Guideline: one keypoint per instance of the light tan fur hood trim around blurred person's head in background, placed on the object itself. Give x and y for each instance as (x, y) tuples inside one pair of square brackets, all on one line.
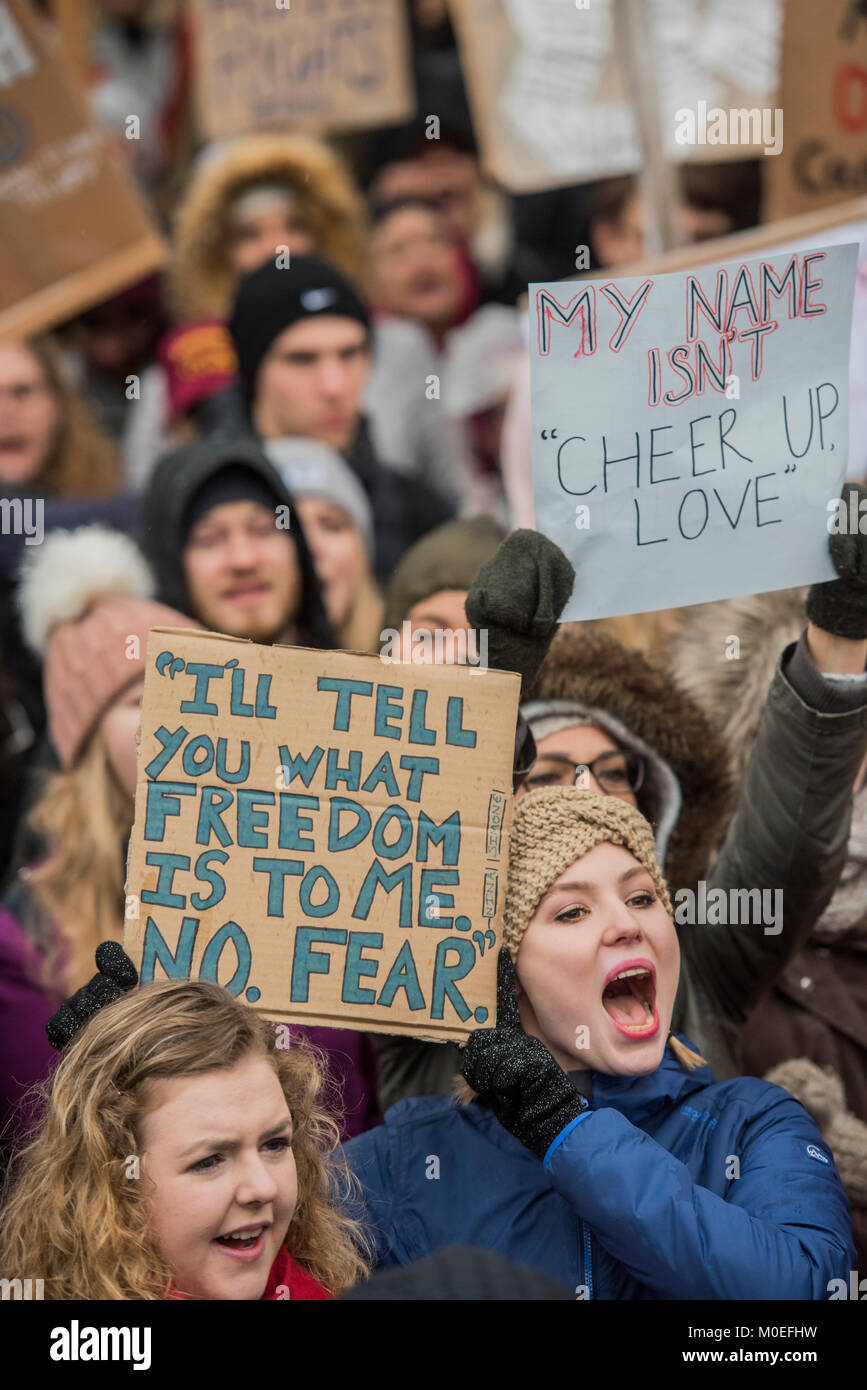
[(201, 281)]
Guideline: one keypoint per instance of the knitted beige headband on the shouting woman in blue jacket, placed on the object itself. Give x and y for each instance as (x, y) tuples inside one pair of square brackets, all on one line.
[(551, 831)]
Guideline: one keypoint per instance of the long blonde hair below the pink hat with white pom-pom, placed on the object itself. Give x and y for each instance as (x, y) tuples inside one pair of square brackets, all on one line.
[(85, 819)]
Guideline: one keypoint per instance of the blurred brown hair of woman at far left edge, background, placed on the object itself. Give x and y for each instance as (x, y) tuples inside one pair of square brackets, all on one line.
[(84, 462)]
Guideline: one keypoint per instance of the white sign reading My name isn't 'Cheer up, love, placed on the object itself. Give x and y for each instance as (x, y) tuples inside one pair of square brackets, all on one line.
[(690, 430)]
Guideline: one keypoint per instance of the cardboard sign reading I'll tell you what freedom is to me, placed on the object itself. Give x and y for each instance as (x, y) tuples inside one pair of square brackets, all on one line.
[(323, 833)]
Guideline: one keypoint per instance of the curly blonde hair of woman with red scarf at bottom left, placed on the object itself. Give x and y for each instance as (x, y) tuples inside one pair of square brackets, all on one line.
[(76, 1214)]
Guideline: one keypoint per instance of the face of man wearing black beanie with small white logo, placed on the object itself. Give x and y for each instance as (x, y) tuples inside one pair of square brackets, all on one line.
[(312, 380)]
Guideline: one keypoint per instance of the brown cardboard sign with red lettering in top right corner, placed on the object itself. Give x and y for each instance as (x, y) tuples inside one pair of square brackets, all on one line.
[(823, 94)]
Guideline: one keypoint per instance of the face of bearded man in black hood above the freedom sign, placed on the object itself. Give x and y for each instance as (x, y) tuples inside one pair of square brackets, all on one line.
[(242, 573)]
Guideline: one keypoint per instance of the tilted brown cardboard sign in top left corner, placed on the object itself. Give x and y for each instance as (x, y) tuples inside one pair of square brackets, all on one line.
[(73, 230)]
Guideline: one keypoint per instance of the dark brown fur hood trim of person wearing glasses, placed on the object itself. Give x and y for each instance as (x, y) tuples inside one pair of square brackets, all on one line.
[(597, 672)]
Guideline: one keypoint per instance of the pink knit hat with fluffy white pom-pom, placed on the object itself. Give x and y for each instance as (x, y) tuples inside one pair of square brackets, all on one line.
[(87, 610)]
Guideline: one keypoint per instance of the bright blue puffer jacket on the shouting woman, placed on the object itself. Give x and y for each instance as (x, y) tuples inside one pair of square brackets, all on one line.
[(637, 1199)]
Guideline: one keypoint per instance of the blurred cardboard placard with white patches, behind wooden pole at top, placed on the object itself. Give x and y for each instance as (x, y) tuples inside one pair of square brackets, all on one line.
[(550, 101)]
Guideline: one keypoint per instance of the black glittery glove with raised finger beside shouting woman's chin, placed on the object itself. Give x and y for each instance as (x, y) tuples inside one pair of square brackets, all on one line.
[(516, 1075)]
